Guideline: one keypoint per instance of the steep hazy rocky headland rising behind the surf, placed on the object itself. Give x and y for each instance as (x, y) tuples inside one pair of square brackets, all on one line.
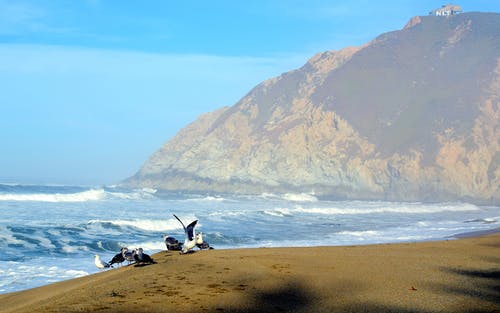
[(412, 116)]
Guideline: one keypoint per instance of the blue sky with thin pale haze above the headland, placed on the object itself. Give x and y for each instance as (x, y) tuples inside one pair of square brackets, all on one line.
[(89, 89)]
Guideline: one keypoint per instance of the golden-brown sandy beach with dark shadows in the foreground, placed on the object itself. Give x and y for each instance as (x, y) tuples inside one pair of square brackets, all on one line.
[(444, 276)]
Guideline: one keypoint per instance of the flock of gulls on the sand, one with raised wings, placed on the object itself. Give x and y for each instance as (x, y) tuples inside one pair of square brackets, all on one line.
[(138, 256)]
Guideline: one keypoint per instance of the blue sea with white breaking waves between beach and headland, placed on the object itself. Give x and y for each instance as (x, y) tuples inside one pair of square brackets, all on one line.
[(51, 233)]
